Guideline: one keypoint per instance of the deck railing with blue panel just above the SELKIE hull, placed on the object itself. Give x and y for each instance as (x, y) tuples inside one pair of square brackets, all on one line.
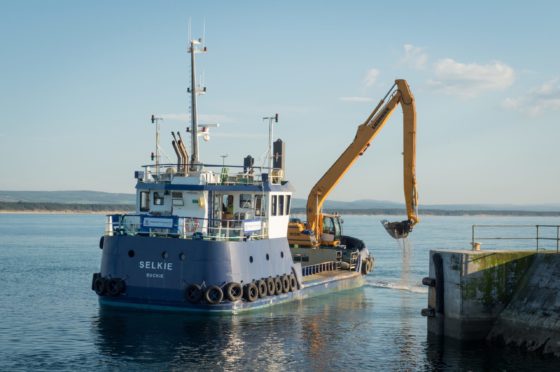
[(186, 227)]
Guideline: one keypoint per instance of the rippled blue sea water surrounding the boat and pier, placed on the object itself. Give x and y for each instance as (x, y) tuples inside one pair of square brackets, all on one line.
[(50, 318)]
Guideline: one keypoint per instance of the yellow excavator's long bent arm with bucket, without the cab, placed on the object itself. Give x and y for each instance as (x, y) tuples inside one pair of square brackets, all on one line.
[(364, 136)]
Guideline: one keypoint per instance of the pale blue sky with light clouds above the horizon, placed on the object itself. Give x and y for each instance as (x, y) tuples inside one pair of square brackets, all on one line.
[(79, 81)]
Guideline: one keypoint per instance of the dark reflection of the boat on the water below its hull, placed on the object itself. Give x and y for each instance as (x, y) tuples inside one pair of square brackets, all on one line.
[(308, 333)]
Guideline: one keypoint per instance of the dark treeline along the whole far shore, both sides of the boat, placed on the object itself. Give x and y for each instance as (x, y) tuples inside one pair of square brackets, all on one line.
[(93, 208)]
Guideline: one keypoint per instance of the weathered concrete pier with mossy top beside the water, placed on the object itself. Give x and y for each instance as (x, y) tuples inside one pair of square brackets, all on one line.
[(509, 297)]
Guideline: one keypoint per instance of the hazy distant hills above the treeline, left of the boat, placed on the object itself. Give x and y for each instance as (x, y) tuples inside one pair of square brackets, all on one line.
[(67, 197)]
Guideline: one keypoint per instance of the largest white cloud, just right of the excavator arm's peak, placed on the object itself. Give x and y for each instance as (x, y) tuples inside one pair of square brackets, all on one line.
[(472, 79)]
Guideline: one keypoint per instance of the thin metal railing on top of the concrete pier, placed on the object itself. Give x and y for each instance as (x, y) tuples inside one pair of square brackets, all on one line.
[(544, 237)]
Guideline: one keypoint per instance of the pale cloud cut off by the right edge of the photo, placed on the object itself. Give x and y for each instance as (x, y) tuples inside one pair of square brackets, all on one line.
[(545, 97)]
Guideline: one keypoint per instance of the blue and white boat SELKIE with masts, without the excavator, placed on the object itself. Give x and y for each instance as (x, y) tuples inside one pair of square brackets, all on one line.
[(213, 238)]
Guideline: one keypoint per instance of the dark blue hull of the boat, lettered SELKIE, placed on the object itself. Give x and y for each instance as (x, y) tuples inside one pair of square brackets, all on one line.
[(157, 273)]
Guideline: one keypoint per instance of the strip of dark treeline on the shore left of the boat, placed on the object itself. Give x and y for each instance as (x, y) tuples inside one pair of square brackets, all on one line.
[(63, 207)]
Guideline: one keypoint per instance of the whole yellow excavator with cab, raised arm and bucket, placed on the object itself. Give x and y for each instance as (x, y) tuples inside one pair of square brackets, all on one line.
[(324, 230)]
